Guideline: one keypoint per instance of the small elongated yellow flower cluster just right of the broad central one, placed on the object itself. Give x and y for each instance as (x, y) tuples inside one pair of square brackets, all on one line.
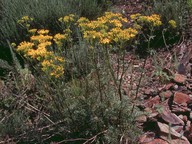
[(153, 20)]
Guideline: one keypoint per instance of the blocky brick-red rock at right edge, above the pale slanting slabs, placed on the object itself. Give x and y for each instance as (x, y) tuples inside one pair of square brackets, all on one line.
[(180, 98)]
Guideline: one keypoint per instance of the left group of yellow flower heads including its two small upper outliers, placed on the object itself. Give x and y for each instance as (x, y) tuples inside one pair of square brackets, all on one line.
[(40, 47)]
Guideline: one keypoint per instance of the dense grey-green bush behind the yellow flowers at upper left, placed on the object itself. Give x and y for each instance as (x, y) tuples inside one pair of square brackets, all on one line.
[(45, 12)]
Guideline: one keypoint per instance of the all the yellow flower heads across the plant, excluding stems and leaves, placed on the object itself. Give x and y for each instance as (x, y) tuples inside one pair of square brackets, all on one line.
[(106, 30)]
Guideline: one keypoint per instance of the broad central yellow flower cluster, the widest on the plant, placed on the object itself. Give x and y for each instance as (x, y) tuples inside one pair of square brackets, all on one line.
[(106, 29)]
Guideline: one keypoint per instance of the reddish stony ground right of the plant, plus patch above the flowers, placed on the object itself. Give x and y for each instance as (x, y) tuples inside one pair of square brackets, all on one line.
[(163, 90)]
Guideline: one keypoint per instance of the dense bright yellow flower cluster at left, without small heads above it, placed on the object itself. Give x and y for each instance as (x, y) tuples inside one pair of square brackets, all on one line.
[(39, 48)]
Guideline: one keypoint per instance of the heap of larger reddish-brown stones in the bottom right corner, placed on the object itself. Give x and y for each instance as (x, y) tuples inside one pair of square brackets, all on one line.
[(167, 114)]
